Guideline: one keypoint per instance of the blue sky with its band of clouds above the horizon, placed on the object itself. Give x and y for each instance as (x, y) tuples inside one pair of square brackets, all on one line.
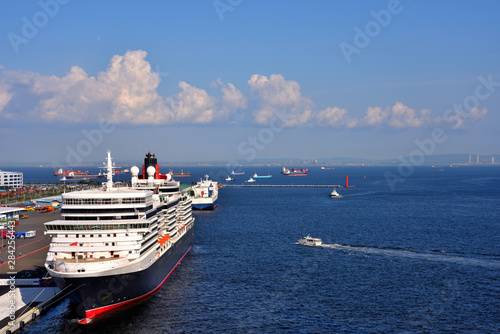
[(241, 80)]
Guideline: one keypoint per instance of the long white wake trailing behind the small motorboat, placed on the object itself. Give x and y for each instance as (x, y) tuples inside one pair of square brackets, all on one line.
[(488, 263)]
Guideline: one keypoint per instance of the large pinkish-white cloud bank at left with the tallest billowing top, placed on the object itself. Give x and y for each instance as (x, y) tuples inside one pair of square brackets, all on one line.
[(125, 93)]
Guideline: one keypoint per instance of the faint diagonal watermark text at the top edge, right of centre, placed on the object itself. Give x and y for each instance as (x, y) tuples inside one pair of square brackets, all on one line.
[(372, 29)]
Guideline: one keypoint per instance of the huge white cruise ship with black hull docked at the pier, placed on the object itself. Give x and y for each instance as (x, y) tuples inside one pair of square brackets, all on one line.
[(116, 245)]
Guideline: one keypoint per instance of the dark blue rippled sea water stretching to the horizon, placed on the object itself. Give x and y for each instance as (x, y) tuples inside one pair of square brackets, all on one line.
[(417, 255)]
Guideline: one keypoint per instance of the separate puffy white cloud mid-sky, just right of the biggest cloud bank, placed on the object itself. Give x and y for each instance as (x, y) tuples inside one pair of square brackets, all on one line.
[(275, 94)]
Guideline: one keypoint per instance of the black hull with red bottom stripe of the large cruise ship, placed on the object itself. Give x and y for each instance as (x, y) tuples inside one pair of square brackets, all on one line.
[(100, 294)]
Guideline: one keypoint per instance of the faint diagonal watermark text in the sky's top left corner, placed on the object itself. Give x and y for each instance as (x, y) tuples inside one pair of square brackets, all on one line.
[(30, 26)]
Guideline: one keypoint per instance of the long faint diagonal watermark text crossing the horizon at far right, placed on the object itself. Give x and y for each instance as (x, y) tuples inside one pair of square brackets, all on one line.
[(427, 146)]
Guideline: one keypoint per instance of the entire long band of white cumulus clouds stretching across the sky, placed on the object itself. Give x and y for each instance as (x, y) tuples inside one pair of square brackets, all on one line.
[(127, 92)]
